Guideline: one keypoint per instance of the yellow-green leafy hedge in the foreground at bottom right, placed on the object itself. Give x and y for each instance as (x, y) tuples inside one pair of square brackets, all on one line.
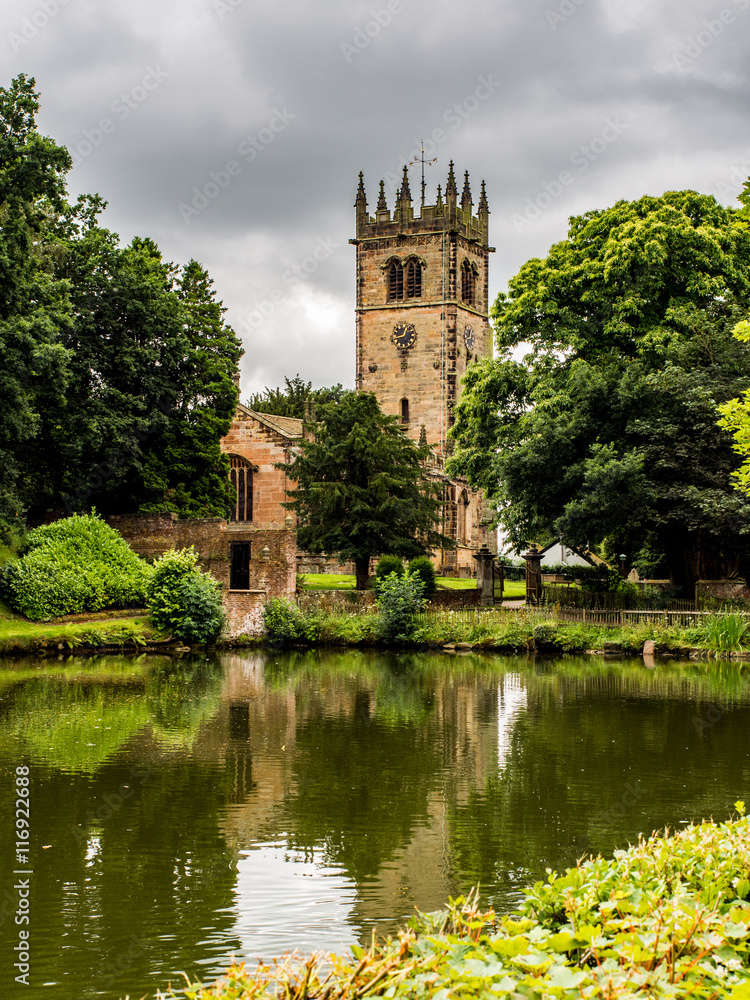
[(668, 918)]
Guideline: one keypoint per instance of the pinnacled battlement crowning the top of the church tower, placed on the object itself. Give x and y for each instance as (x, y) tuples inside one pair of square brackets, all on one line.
[(448, 214)]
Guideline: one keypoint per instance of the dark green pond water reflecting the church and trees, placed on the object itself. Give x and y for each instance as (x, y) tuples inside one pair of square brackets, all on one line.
[(187, 811)]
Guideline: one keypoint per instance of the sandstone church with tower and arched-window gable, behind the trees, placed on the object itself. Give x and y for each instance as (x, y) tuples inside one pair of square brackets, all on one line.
[(421, 320)]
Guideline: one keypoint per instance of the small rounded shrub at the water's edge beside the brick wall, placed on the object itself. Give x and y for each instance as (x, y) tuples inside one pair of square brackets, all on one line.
[(183, 600)]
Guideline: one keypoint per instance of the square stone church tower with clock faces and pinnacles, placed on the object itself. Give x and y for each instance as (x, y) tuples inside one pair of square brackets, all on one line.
[(422, 303)]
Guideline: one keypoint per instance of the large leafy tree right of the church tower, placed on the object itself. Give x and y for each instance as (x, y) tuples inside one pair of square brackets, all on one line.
[(606, 431)]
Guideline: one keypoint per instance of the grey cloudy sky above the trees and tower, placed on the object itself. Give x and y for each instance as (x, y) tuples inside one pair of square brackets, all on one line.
[(232, 131)]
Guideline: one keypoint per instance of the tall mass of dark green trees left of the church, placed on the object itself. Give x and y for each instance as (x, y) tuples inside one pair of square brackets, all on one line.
[(118, 375)]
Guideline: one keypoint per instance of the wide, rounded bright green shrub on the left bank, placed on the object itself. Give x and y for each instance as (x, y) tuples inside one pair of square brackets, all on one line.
[(76, 564)]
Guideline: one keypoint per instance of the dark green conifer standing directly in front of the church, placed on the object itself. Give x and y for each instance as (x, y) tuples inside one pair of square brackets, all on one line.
[(361, 487)]
